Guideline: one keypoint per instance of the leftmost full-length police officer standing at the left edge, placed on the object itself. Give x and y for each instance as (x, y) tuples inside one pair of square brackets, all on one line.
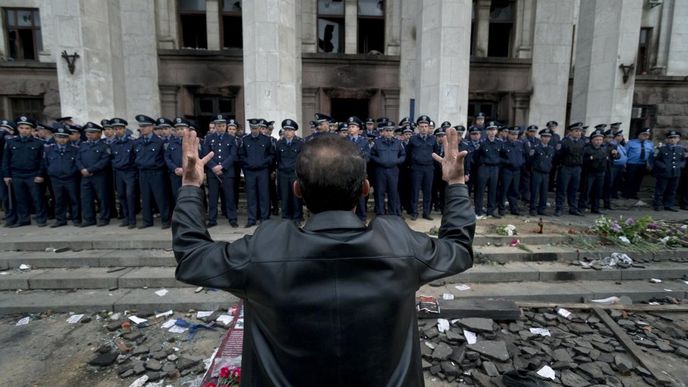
[(23, 169)]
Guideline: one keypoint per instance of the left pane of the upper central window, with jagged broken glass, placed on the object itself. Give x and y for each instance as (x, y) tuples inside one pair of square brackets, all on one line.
[(331, 26)]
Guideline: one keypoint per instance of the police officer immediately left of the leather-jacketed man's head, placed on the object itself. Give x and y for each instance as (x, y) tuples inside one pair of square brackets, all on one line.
[(287, 149)]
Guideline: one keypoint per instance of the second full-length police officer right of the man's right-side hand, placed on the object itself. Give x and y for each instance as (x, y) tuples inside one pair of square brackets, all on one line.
[(512, 159)]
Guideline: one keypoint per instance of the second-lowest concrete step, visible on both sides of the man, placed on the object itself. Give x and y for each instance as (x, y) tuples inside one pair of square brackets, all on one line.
[(163, 277)]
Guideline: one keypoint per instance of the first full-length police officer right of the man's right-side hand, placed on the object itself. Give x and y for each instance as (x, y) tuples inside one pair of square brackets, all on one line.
[(487, 160)]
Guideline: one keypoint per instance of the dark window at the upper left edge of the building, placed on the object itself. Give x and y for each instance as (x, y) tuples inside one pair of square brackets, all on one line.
[(23, 30)]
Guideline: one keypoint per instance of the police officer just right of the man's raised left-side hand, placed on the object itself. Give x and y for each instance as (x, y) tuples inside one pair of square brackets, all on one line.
[(220, 171)]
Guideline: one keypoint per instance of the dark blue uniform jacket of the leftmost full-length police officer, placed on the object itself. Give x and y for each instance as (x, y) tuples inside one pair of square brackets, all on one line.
[(23, 157)]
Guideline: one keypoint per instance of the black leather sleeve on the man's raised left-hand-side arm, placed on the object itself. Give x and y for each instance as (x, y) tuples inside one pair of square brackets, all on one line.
[(200, 260)]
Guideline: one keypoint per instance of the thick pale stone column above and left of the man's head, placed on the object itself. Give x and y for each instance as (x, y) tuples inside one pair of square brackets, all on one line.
[(272, 60)]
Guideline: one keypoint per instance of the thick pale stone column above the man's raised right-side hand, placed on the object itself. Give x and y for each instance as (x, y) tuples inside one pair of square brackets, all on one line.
[(443, 59)]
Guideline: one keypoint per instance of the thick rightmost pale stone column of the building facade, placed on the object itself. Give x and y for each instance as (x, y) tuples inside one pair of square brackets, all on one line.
[(608, 33)]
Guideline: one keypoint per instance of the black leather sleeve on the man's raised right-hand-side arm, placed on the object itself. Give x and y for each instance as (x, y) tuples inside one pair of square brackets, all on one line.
[(452, 251)]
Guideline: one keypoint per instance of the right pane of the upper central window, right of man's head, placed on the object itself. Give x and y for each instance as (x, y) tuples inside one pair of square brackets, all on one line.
[(371, 26)]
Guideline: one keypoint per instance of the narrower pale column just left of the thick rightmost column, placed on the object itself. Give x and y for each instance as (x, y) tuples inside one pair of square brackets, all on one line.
[(551, 61)]
